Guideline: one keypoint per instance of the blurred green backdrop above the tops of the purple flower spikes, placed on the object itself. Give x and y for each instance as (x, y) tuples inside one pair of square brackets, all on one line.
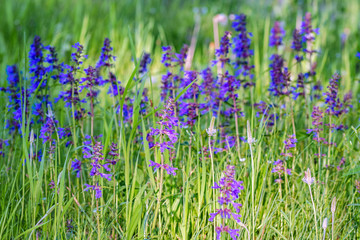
[(153, 23)]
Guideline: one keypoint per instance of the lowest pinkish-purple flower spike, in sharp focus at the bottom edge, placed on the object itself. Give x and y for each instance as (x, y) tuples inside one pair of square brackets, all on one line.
[(229, 190)]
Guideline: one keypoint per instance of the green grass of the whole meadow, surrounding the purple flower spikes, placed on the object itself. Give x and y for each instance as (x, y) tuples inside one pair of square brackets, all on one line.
[(46, 200)]
